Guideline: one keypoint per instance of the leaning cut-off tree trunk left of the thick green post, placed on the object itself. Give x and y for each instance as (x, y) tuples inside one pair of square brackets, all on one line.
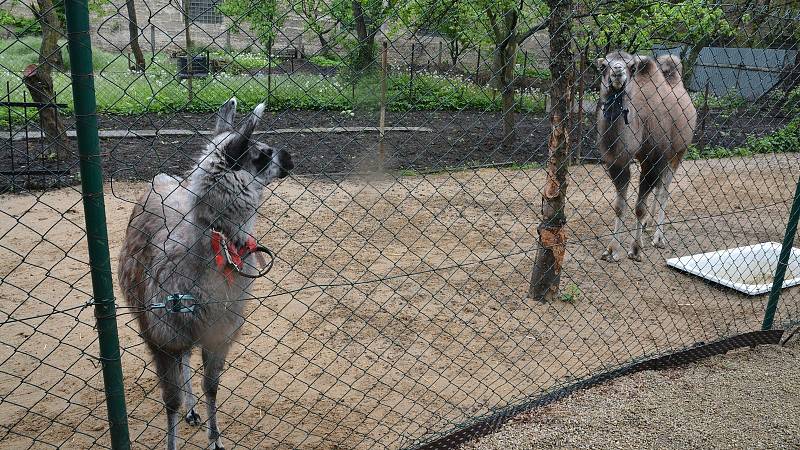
[(39, 82)]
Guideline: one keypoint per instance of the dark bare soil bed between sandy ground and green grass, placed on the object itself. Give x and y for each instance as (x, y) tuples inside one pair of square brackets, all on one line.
[(460, 138)]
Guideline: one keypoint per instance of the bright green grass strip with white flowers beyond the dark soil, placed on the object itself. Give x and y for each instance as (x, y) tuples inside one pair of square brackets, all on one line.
[(120, 91)]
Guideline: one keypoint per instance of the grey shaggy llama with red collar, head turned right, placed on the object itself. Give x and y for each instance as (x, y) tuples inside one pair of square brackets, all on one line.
[(184, 254)]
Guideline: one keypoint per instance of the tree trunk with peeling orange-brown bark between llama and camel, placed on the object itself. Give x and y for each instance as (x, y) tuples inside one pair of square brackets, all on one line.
[(546, 273)]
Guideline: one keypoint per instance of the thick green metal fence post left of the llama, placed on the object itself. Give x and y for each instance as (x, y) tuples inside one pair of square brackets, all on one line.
[(80, 53)]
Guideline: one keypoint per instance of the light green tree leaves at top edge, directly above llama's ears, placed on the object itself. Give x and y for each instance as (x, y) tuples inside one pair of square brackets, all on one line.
[(264, 17)]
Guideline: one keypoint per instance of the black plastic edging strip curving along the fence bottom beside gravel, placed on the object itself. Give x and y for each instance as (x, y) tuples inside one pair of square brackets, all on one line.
[(702, 350)]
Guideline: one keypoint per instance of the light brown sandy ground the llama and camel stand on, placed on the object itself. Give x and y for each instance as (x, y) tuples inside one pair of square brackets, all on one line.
[(396, 309)]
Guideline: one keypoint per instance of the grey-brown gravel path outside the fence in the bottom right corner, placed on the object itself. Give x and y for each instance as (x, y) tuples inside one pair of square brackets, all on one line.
[(745, 399)]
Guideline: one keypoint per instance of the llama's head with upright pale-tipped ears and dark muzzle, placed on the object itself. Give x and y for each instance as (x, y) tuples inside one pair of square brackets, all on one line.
[(238, 151)]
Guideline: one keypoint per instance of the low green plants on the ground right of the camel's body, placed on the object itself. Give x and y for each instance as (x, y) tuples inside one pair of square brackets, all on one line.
[(784, 140)]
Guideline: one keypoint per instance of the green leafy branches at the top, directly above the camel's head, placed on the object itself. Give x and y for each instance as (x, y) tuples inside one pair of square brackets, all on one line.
[(633, 26)]
